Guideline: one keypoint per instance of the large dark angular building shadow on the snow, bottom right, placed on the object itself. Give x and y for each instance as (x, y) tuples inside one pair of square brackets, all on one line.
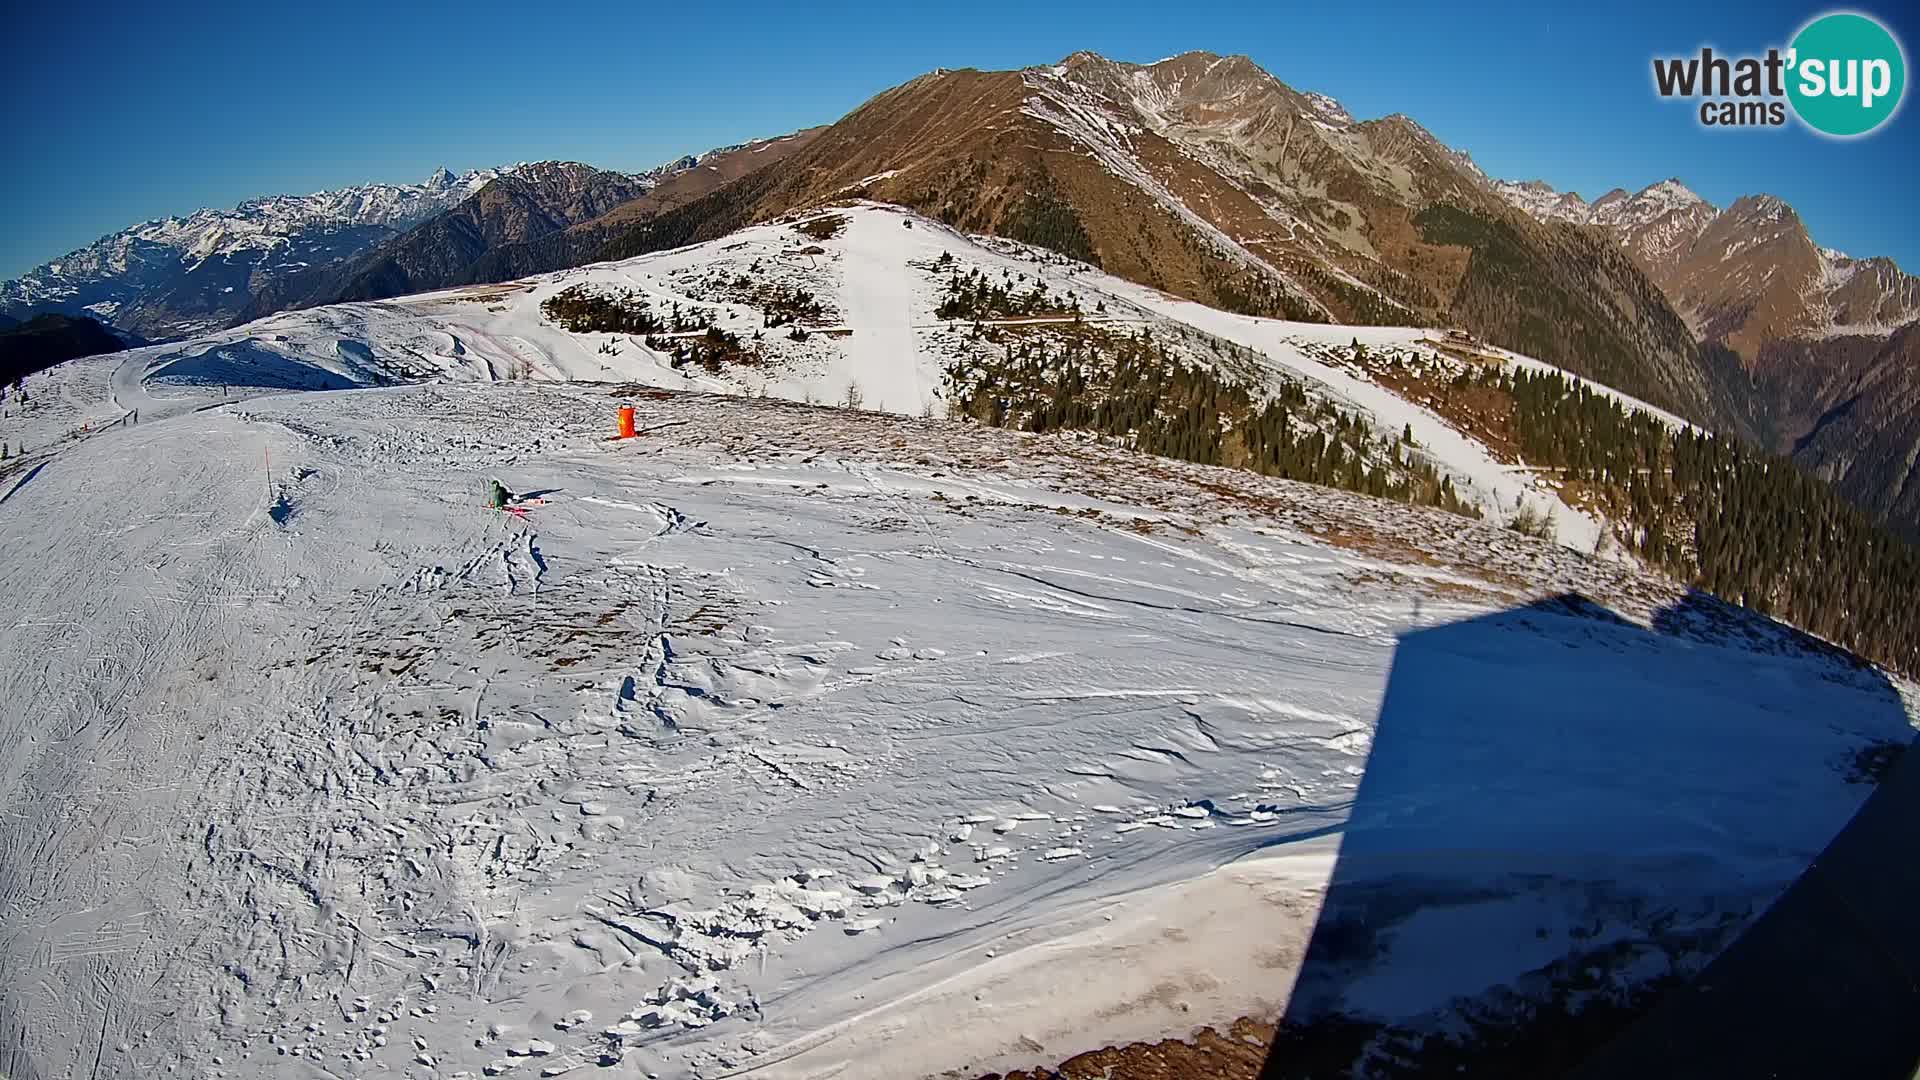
[(1566, 818)]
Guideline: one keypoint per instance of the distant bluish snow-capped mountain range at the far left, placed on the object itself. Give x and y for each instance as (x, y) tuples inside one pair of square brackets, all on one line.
[(183, 276)]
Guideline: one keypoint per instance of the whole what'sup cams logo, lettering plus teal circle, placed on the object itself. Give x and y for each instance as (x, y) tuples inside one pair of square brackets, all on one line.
[(1844, 76)]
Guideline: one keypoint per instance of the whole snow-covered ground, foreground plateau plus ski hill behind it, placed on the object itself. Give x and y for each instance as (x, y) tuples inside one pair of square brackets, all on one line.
[(796, 741)]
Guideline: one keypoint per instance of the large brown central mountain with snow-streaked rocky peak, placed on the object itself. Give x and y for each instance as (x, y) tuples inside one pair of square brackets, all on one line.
[(1212, 180)]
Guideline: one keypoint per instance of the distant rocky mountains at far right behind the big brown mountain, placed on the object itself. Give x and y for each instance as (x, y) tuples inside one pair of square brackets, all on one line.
[(1825, 347)]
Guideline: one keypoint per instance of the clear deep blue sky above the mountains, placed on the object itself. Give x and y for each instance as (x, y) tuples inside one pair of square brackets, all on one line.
[(124, 112)]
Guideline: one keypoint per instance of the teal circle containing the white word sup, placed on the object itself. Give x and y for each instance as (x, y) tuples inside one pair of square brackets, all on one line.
[(1848, 74)]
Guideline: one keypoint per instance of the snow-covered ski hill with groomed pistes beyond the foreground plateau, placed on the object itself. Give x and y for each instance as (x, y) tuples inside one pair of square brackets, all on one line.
[(880, 282)]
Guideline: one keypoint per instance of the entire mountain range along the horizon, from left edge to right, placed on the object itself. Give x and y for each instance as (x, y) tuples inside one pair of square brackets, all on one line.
[(1201, 176)]
